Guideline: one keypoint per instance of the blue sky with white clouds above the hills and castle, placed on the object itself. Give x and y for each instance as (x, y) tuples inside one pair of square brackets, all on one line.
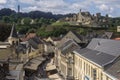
[(110, 7)]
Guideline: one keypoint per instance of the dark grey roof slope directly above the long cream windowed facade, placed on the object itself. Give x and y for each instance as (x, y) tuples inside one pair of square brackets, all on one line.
[(98, 57)]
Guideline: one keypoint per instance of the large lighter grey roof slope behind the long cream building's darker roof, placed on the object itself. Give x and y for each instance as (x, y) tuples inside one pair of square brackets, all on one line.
[(107, 46)]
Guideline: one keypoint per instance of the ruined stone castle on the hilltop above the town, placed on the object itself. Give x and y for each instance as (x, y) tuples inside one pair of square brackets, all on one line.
[(85, 18)]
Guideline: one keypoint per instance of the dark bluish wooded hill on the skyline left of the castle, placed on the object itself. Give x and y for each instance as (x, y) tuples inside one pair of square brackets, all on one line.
[(32, 14)]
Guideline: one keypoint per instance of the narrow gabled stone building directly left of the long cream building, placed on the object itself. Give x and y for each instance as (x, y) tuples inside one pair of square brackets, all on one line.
[(66, 59)]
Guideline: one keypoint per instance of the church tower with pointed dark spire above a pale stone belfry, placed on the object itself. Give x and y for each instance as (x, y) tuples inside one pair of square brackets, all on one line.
[(13, 38)]
